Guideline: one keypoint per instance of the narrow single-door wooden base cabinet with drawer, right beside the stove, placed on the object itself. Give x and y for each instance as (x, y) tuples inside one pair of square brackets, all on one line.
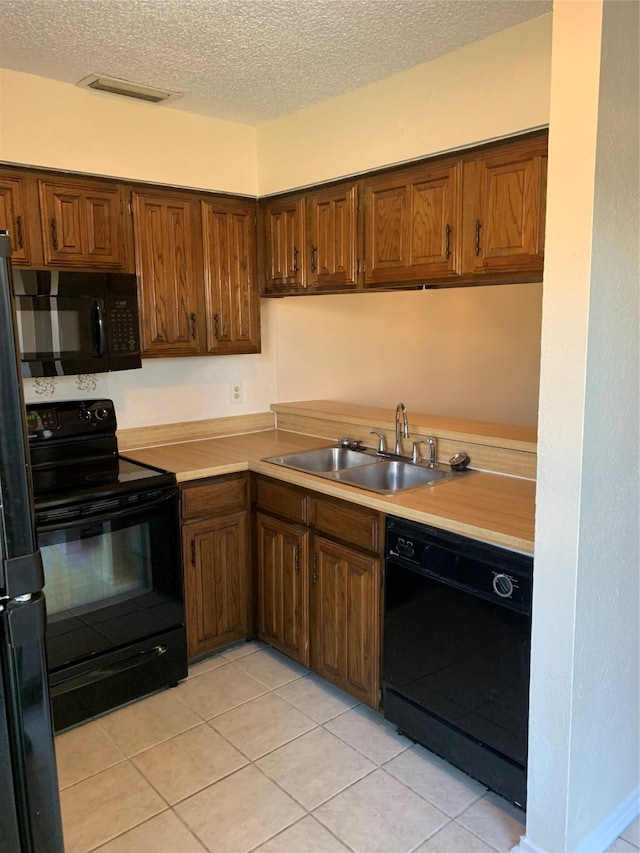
[(215, 548)]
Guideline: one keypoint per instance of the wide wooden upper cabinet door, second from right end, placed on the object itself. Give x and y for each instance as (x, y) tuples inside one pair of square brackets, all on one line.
[(413, 224)]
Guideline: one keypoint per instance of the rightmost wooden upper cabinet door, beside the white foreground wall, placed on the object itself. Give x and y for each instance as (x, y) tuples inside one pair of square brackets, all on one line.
[(510, 208)]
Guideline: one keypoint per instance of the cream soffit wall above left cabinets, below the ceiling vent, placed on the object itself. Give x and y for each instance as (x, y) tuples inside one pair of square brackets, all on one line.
[(61, 126)]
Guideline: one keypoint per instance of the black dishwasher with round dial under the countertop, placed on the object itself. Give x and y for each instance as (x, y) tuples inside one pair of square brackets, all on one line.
[(456, 649)]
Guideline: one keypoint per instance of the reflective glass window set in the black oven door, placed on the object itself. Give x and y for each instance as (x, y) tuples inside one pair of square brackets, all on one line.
[(95, 566)]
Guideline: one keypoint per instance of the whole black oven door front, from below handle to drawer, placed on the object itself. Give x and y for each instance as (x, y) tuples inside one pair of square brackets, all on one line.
[(111, 581)]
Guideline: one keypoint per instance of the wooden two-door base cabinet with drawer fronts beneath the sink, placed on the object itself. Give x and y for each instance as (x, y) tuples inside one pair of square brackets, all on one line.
[(318, 591)]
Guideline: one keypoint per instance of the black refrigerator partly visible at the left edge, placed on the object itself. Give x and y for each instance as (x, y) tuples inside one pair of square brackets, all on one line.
[(29, 801)]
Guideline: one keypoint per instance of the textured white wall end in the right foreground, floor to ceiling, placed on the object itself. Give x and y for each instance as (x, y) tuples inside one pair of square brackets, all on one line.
[(584, 742)]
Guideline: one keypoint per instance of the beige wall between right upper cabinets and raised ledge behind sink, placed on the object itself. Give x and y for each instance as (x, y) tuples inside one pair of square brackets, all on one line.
[(468, 352)]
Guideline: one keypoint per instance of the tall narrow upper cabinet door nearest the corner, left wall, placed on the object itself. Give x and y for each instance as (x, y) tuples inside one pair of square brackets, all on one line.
[(233, 305)]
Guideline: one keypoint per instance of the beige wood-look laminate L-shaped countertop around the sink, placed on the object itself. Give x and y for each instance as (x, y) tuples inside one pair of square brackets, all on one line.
[(491, 507)]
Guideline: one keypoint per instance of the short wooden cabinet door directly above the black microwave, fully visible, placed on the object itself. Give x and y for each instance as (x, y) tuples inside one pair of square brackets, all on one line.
[(82, 225)]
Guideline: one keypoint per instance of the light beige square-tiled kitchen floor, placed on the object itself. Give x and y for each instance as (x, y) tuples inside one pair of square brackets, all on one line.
[(254, 753)]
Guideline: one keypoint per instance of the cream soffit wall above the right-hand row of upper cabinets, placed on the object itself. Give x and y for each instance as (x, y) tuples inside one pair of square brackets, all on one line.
[(495, 87)]
